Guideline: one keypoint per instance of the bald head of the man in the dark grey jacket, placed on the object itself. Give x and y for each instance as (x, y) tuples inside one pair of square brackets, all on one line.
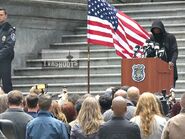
[(119, 106)]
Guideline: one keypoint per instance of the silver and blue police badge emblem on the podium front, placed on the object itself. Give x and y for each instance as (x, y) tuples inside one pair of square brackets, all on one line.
[(138, 72)]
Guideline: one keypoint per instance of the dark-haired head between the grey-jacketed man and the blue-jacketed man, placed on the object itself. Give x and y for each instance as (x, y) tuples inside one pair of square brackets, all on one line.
[(32, 100)]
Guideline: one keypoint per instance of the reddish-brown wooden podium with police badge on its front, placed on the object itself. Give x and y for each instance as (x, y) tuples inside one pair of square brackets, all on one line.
[(148, 74)]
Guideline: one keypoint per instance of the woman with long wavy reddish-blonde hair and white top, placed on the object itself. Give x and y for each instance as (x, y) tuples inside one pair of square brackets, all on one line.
[(148, 117)]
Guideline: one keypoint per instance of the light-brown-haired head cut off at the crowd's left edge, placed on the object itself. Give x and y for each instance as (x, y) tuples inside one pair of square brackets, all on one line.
[(3, 103)]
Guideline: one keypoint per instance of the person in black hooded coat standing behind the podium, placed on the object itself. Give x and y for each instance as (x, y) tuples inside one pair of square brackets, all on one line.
[(167, 42)]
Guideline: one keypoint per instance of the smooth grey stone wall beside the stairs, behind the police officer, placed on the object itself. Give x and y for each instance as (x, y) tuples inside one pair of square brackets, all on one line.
[(40, 23)]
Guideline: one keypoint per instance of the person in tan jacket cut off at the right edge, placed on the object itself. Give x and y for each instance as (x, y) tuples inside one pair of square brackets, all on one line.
[(175, 126)]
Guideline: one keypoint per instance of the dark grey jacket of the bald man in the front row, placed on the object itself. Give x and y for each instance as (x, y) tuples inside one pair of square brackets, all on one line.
[(119, 128)]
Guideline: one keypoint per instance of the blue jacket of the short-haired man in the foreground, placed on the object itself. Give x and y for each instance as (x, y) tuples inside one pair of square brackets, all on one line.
[(45, 126)]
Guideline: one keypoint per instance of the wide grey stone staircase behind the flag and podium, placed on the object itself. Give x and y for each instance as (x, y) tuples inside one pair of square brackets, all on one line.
[(105, 65)]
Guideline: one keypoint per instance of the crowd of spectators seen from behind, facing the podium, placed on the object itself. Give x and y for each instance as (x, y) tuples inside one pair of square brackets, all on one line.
[(119, 113)]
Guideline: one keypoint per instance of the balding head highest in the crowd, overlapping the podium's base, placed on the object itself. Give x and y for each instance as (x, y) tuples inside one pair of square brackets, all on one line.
[(133, 94)]
